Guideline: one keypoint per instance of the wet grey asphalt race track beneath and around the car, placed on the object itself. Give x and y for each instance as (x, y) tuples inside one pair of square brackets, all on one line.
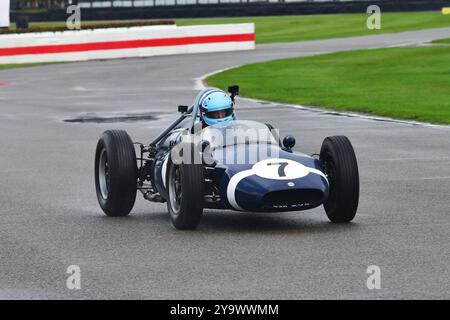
[(50, 218)]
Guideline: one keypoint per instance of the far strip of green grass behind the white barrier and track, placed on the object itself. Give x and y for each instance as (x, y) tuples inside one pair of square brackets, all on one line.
[(300, 28)]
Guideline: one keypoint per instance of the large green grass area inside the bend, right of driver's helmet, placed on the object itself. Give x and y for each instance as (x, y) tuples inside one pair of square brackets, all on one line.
[(407, 83)]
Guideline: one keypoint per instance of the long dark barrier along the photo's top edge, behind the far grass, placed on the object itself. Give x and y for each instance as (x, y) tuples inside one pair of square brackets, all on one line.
[(160, 9)]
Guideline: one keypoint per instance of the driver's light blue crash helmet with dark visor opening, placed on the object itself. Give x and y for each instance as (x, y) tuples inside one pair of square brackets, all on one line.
[(216, 107)]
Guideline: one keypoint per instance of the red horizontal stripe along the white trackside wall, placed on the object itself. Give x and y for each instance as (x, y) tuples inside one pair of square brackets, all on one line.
[(128, 44)]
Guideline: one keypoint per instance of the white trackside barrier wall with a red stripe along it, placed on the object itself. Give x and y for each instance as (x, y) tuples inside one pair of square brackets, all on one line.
[(113, 43)]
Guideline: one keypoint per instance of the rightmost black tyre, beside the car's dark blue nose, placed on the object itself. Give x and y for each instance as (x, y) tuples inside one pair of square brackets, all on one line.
[(339, 164)]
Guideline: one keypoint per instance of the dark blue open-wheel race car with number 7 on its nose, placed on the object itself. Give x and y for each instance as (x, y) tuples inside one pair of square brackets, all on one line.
[(238, 165)]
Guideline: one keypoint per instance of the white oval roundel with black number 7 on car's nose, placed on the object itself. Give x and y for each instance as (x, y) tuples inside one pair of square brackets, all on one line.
[(280, 169)]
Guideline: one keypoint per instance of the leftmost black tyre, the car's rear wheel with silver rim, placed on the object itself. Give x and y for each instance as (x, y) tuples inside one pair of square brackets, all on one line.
[(116, 173)]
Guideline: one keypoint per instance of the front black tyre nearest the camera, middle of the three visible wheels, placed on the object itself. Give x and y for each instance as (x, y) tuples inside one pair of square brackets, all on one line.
[(186, 191)]
